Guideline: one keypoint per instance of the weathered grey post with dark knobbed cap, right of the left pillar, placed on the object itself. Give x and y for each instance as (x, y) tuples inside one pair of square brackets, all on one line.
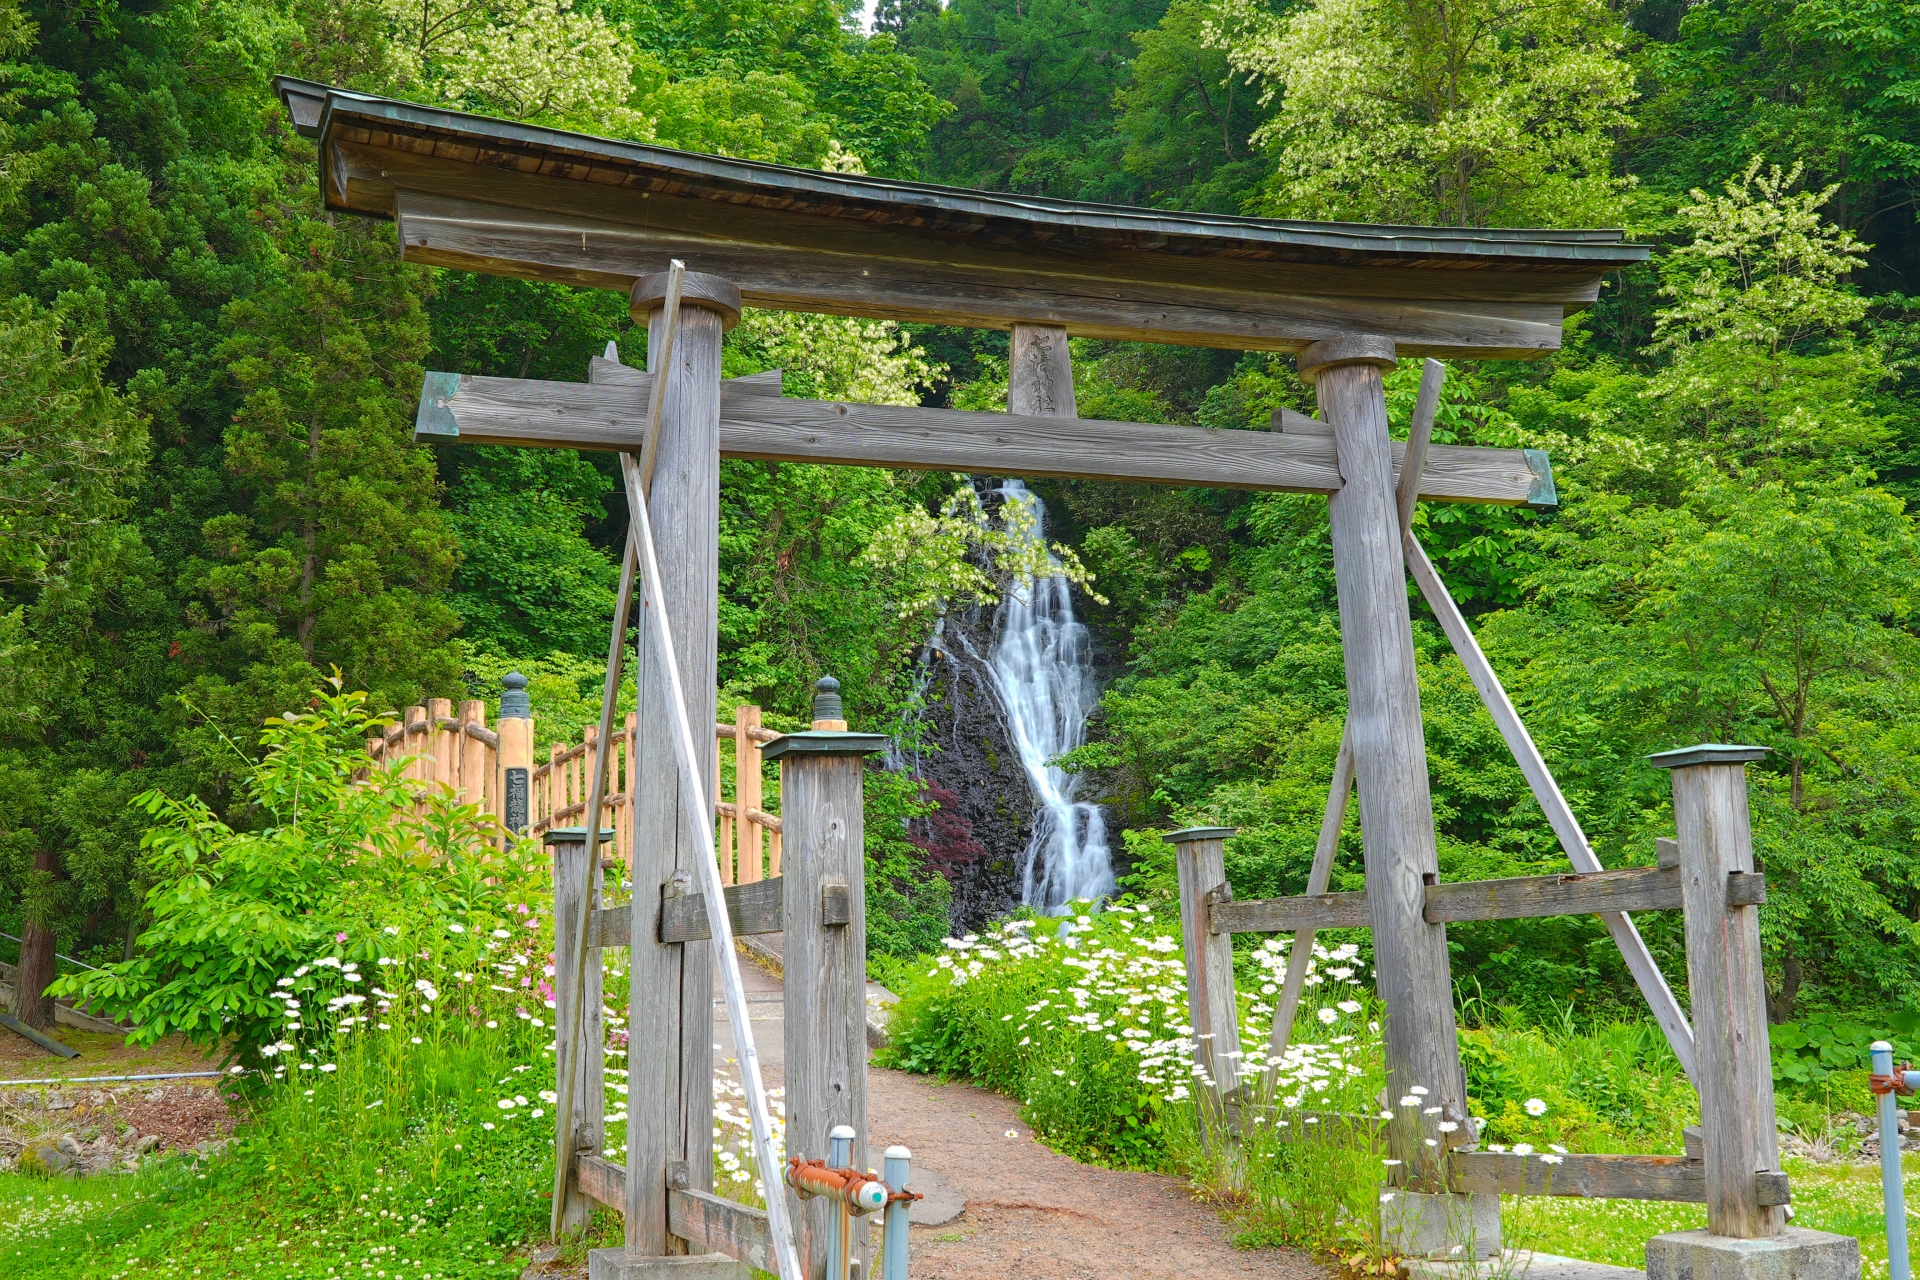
[(825, 914)]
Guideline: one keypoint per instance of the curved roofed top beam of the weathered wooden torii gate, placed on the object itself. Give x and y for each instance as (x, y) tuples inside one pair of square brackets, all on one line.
[(544, 204)]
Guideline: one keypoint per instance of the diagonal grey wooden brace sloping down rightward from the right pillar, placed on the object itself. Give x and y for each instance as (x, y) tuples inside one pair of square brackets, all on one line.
[(1633, 949)]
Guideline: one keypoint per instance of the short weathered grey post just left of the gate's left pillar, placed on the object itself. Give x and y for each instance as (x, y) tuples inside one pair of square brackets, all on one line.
[(575, 878)]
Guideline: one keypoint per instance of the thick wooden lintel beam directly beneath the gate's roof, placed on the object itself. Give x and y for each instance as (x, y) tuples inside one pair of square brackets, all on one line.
[(857, 279)]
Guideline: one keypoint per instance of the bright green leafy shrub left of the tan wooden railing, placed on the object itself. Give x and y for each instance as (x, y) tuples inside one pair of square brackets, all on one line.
[(350, 859)]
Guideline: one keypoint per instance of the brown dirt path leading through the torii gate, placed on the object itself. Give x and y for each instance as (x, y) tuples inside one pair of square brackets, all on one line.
[(1028, 1214)]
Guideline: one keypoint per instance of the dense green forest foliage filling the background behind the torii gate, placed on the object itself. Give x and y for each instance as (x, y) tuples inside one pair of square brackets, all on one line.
[(210, 498)]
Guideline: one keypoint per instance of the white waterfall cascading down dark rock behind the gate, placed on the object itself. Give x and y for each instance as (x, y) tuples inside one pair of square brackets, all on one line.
[(1042, 667)]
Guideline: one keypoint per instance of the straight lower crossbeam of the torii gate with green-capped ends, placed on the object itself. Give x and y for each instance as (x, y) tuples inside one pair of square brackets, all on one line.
[(519, 412)]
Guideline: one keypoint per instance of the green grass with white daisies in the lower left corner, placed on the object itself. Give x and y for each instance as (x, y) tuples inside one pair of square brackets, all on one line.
[(396, 1135)]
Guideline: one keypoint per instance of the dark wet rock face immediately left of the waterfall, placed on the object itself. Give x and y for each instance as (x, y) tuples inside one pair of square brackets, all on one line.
[(974, 774)]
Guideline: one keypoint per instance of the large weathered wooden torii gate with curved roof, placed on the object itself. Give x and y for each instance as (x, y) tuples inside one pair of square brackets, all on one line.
[(1347, 300)]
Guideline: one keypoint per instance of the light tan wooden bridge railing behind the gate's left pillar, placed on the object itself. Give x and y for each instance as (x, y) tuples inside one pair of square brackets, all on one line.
[(439, 746)]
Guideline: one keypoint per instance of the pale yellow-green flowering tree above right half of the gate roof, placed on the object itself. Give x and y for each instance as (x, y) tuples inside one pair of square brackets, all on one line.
[(1466, 114)]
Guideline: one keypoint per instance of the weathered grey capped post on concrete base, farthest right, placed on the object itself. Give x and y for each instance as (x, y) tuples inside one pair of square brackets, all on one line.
[(1729, 995)]
